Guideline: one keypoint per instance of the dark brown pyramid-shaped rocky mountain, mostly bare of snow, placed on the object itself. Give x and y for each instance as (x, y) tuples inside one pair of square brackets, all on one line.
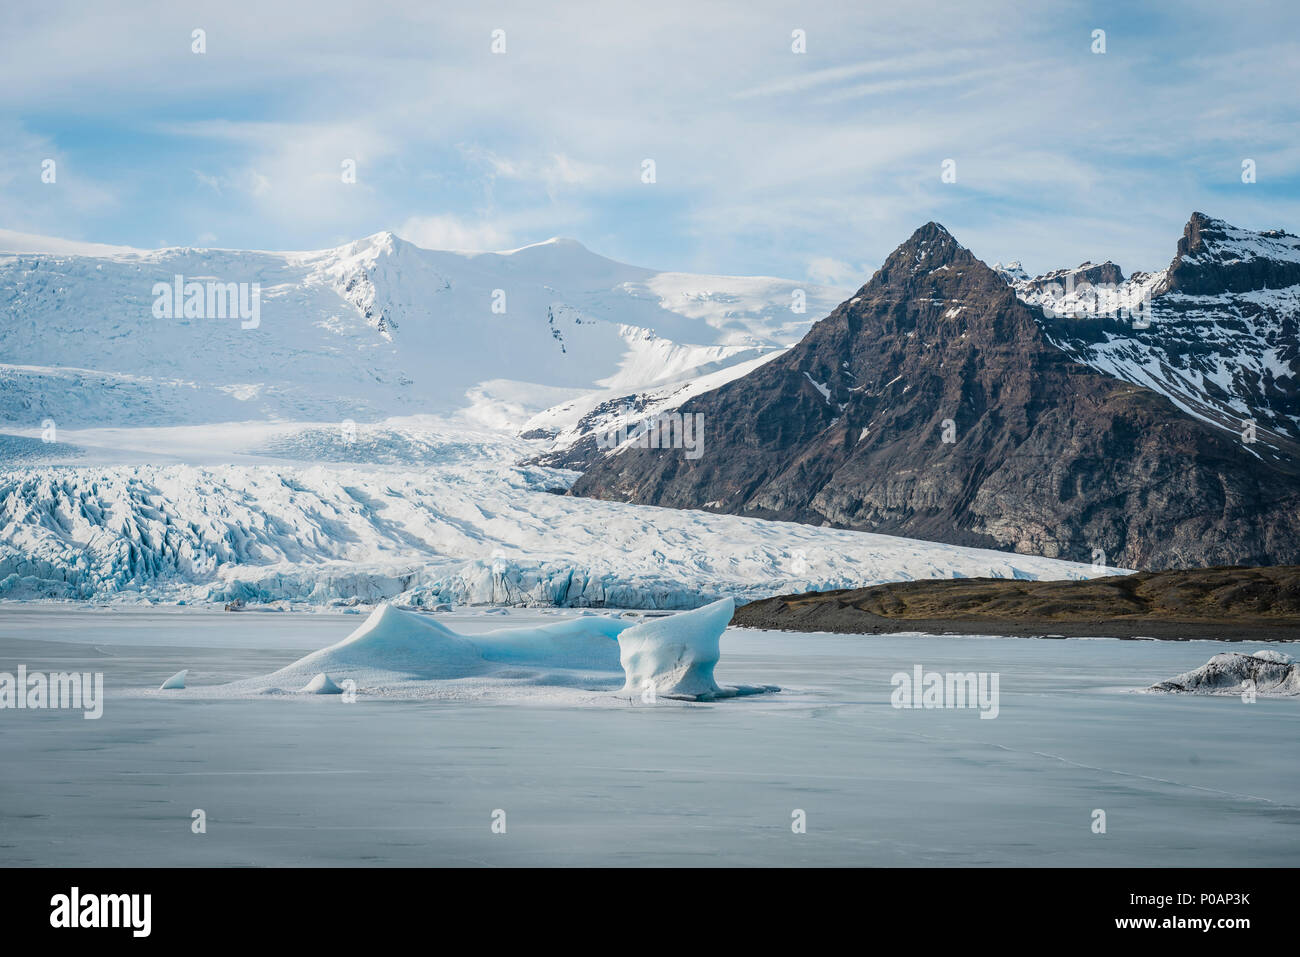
[(935, 405)]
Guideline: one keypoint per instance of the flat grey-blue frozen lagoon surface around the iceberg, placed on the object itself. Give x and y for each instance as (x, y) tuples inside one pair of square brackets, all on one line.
[(314, 781)]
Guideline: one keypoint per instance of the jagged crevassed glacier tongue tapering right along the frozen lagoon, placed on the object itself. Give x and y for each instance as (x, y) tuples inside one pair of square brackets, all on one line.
[(461, 534)]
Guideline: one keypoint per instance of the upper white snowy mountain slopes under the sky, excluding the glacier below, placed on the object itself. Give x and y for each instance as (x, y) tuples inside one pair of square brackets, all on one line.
[(372, 330)]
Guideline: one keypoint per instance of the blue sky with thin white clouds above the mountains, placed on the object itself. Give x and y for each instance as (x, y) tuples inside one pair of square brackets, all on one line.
[(809, 166)]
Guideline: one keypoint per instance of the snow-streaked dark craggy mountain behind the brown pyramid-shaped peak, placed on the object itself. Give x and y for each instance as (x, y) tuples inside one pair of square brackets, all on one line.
[(1217, 331)]
